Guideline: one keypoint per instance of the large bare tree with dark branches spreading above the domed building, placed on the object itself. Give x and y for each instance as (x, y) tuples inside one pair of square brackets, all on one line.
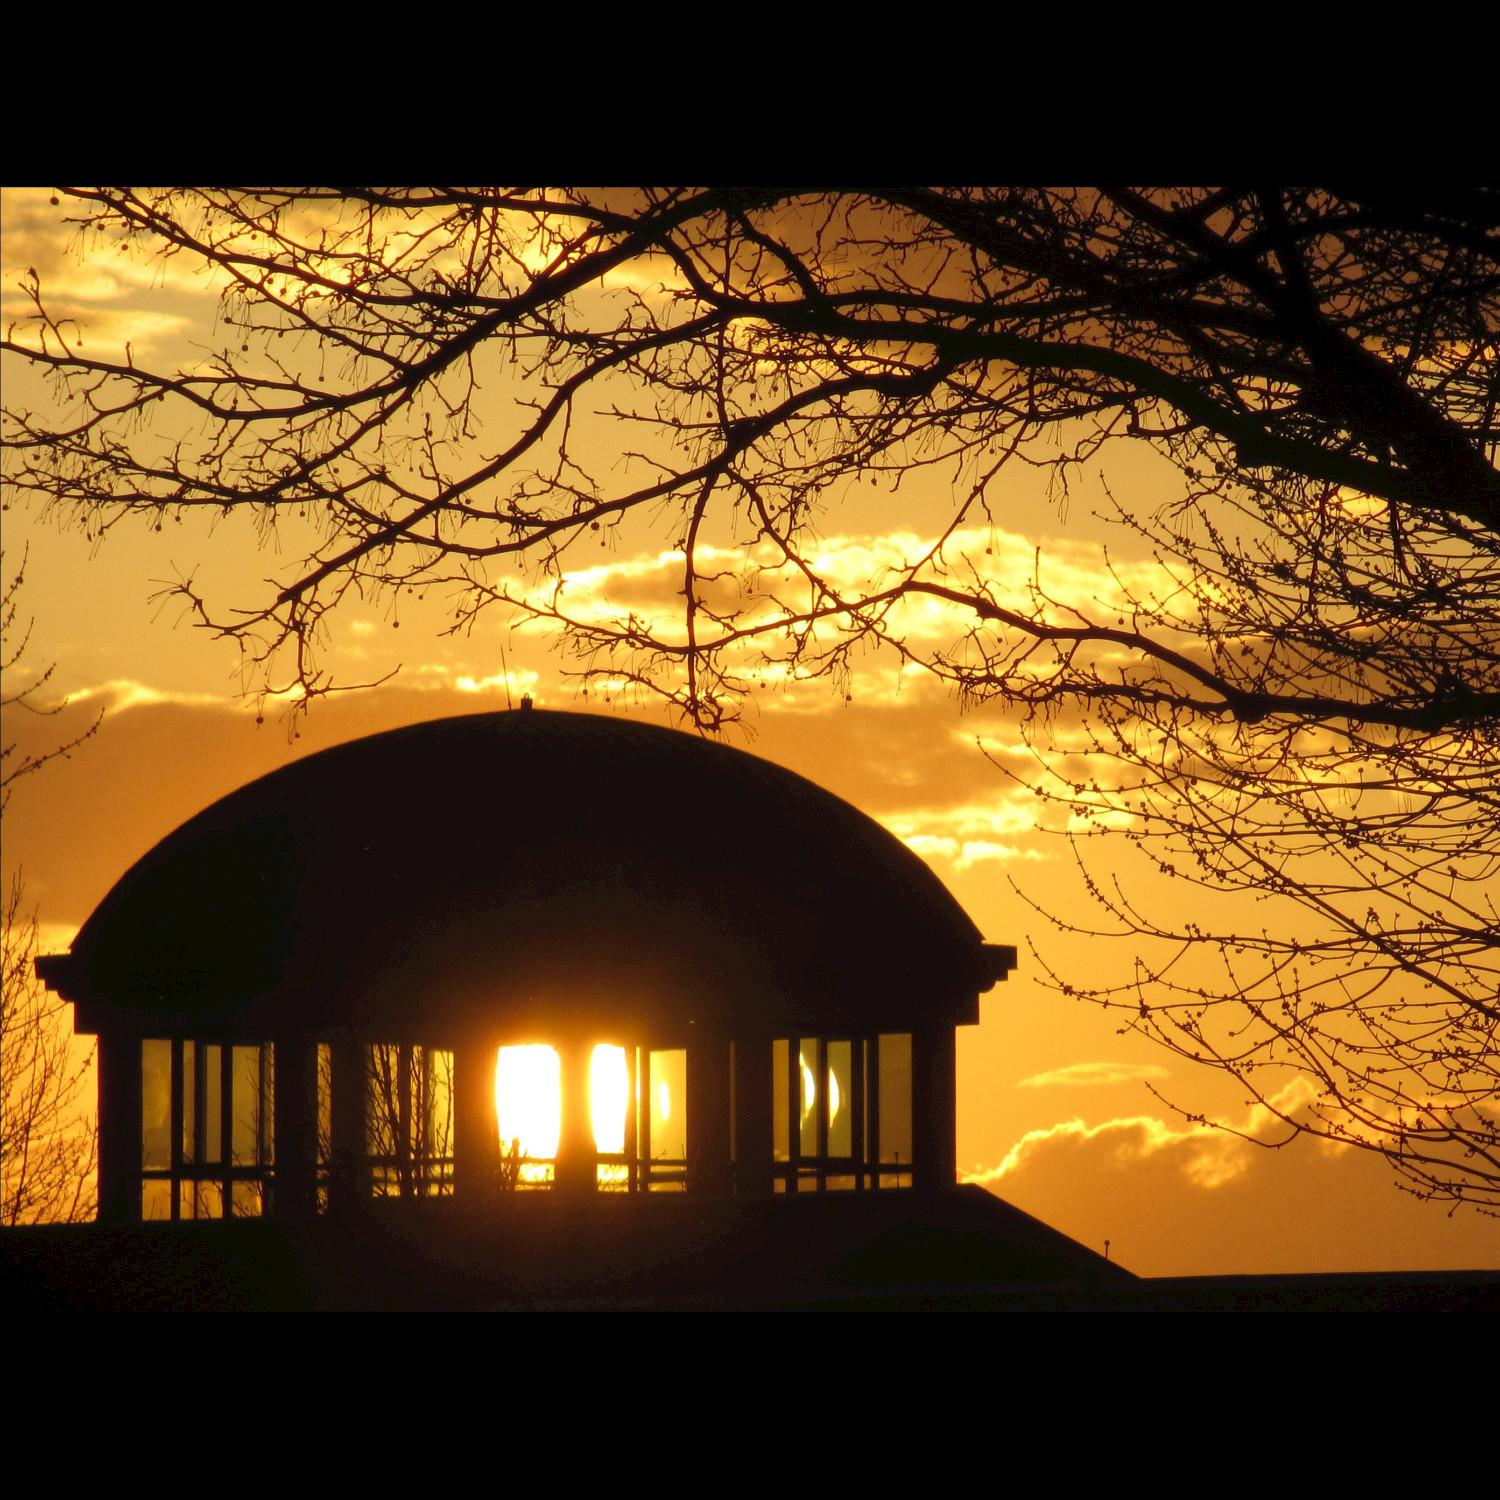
[(1297, 700)]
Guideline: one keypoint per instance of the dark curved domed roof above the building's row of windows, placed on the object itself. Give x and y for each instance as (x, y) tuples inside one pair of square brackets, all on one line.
[(526, 868)]
